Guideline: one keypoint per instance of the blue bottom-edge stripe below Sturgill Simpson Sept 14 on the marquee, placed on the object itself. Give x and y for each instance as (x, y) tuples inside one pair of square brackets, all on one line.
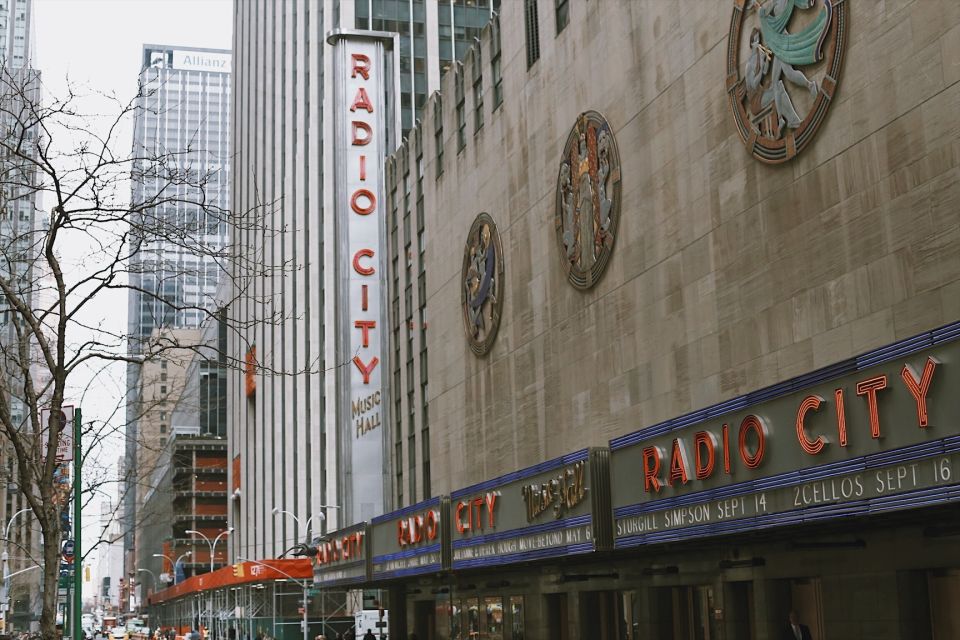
[(918, 498)]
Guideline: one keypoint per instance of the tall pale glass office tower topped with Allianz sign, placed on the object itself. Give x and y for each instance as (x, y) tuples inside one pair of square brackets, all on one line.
[(183, 117)]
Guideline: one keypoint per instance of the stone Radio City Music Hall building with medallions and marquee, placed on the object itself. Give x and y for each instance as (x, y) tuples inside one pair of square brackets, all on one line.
[(679, 283)]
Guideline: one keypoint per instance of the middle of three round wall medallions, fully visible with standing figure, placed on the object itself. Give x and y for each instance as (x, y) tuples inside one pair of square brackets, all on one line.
[(588, 200)]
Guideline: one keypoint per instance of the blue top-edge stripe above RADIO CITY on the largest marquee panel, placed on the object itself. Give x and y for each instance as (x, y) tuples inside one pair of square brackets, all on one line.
[(946, 333)]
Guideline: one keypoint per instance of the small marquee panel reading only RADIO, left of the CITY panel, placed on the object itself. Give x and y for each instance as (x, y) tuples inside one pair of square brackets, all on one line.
[(410, 541)]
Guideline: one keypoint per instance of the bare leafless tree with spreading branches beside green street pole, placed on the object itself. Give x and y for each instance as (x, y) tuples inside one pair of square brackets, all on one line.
[(57, 269)]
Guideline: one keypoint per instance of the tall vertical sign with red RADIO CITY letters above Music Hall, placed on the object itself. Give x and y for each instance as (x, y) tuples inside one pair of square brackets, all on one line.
[(364, 127)]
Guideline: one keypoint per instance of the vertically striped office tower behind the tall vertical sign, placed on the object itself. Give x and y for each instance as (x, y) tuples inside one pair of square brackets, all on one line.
[(284, 428)]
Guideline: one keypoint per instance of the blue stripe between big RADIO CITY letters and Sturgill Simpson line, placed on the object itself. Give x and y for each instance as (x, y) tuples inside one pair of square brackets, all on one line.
[(920, 451)]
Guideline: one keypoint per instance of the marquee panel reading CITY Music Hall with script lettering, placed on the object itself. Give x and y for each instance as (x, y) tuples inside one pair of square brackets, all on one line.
[(557, 508)]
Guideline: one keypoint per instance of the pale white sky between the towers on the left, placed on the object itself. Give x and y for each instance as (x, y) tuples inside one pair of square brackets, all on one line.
[(97, 44)]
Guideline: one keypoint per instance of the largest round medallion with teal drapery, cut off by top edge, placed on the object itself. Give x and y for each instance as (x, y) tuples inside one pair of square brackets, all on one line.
[(783, 65)]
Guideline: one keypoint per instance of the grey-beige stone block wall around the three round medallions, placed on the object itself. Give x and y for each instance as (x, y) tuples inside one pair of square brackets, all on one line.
[(727, 275)]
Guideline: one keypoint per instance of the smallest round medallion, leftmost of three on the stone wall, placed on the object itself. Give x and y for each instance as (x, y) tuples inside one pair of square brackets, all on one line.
[(481, 295)]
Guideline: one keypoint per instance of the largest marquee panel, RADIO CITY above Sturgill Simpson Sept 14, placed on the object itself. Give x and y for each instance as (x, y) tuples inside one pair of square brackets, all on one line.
[(873, 433)]
